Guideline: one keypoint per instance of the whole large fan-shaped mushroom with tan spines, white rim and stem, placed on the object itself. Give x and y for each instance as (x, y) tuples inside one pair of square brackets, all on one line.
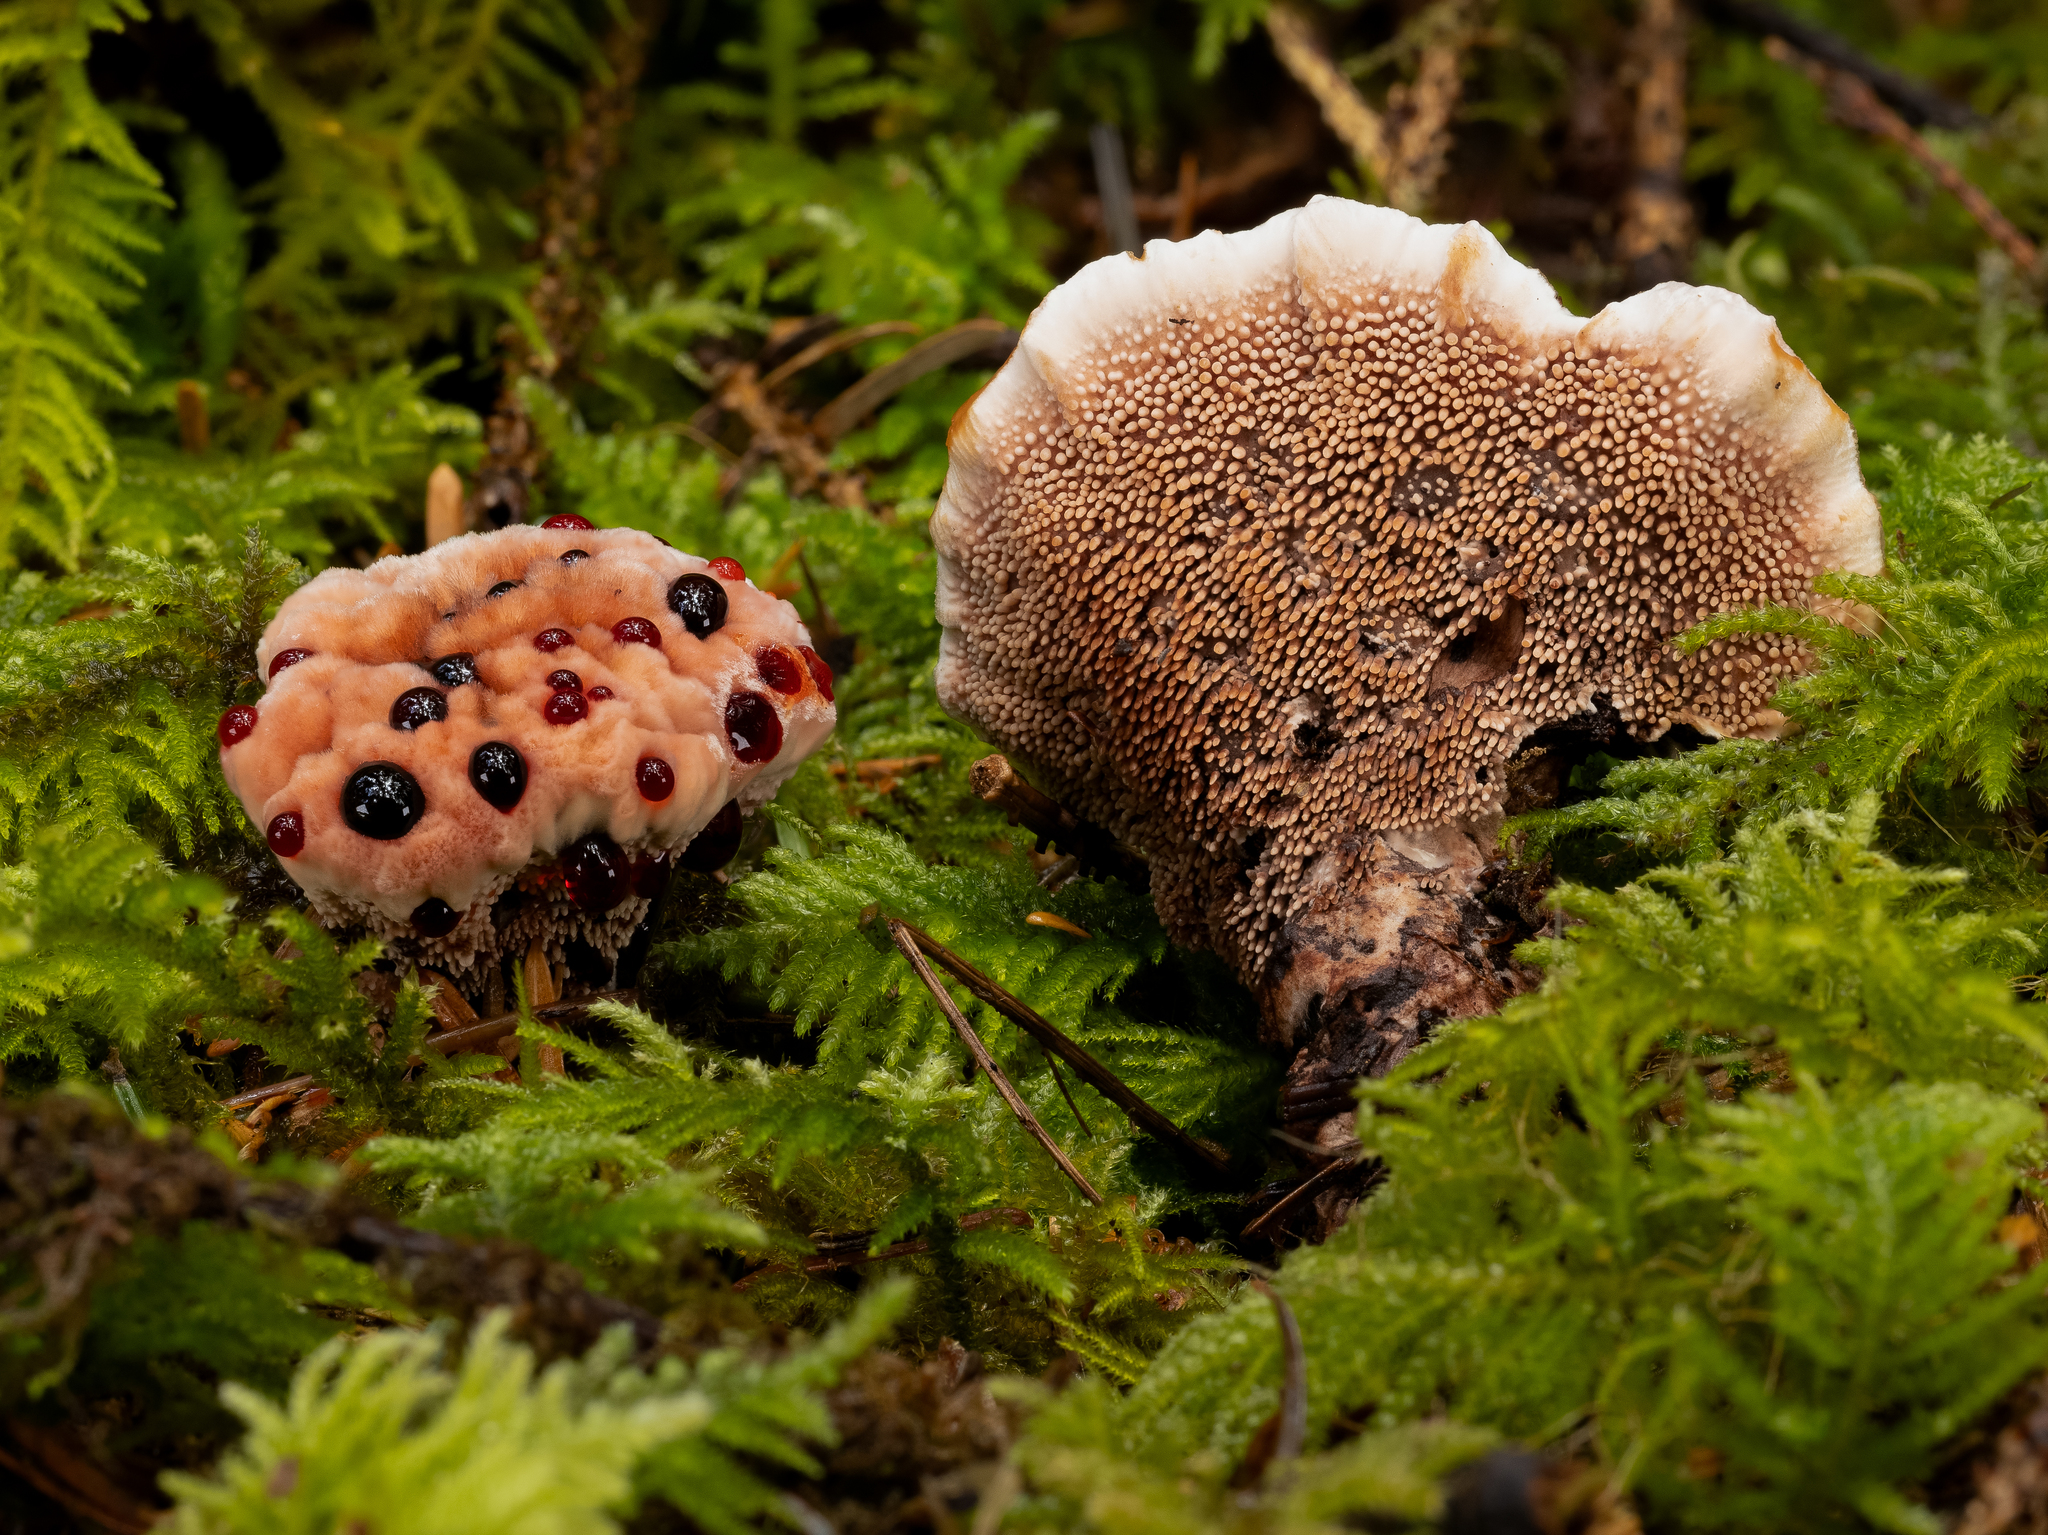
[(1275, 550)]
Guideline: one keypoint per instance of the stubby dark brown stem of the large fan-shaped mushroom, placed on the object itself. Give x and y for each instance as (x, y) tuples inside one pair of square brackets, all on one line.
[(1390, 942)]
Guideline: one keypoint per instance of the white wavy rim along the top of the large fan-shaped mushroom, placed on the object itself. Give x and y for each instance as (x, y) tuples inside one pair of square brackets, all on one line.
[(1338, 247)]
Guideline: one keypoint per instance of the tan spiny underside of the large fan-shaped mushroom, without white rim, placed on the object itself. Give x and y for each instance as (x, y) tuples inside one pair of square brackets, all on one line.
[(1299, 568)]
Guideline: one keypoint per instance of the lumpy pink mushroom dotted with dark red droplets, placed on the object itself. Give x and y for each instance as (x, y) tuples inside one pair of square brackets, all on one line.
[(507, 738)]
